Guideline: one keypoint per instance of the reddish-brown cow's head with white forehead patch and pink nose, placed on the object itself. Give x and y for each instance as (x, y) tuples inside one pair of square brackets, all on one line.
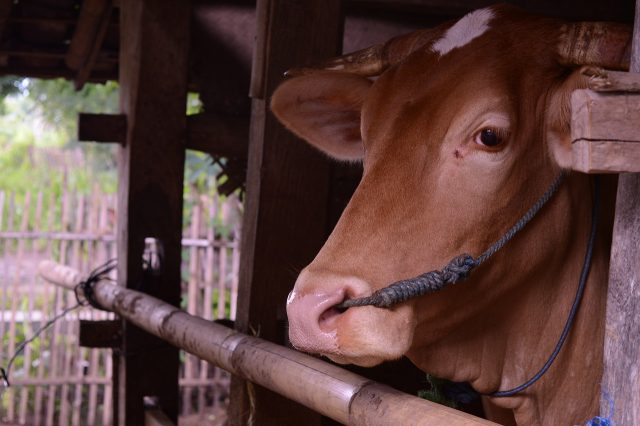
[(463, 129)]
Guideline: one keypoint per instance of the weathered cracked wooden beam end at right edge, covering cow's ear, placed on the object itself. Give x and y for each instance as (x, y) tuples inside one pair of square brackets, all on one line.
[(605, 130)]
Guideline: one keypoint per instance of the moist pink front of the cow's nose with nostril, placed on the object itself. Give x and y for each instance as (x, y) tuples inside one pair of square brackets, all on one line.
[(312, 321)]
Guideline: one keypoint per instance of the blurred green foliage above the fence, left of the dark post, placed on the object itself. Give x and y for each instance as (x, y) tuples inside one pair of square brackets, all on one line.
[(38, 136)]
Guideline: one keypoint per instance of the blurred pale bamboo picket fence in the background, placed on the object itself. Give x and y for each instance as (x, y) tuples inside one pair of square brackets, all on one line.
[(56, 382)]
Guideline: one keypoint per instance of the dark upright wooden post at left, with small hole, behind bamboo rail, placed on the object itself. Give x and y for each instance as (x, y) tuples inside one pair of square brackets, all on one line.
[(154, 46)]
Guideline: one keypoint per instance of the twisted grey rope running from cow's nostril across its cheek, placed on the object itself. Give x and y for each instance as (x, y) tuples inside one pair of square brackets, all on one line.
[(455, 271)]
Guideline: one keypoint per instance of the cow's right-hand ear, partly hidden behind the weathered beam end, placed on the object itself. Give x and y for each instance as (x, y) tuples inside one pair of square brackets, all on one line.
[(558, 114)]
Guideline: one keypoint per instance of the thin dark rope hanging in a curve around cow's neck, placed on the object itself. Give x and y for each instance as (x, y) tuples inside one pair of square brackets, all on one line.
[(584, 274)]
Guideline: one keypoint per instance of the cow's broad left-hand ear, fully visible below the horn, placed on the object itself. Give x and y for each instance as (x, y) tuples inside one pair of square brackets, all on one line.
[(324, 109)]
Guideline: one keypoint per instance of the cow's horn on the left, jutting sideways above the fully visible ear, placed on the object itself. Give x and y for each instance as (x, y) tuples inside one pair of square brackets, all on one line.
[(374, 60)]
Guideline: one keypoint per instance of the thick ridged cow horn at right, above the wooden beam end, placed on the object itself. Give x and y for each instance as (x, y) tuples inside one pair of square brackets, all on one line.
[(603, 44)]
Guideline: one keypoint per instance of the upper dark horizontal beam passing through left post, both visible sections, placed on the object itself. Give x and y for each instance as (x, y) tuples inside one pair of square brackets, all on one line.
[(211, 133)]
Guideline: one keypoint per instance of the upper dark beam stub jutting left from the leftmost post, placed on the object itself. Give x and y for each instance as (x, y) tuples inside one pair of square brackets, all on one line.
[(102, 127)]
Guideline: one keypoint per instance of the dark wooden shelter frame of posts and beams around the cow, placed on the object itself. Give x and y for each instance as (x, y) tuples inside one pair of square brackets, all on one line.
[(293, 193)]
